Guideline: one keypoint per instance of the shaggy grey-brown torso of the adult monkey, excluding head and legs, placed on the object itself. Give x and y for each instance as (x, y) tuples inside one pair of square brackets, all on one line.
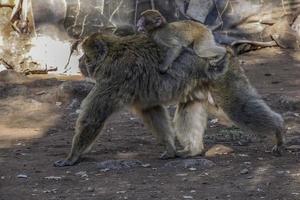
[(131, 65)]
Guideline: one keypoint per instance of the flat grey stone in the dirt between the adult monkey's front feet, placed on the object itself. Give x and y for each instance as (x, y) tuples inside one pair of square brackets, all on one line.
[(119, 164)]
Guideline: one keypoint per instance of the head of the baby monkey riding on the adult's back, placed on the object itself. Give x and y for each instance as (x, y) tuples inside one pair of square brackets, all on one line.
[(150, 20)]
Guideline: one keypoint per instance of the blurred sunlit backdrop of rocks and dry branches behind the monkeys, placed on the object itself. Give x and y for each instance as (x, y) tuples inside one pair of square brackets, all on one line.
[(36, 34)]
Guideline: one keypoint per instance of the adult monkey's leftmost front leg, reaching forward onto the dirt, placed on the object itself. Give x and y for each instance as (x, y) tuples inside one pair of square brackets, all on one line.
[(96, 108)]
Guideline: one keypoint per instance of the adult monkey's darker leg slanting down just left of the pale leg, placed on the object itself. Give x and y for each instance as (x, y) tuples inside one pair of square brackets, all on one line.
[(158, 120)]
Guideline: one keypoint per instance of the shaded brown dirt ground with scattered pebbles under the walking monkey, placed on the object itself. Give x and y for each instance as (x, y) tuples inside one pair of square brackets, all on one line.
[(36, 128)]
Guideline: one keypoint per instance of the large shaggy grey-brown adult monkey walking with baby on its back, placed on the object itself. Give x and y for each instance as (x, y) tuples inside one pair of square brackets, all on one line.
[(126, 76)]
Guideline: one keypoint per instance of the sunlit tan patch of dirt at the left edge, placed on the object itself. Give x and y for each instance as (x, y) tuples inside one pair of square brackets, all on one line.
[(24, 119)]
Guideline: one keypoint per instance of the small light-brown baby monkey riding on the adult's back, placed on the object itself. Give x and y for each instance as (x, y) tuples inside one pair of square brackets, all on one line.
[(178, 35)]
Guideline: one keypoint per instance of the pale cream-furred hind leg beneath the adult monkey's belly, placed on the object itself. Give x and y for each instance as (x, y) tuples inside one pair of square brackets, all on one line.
[(190, 123)]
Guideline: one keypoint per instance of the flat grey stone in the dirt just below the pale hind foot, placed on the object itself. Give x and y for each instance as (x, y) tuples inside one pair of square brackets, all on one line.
[(191, 163)]
